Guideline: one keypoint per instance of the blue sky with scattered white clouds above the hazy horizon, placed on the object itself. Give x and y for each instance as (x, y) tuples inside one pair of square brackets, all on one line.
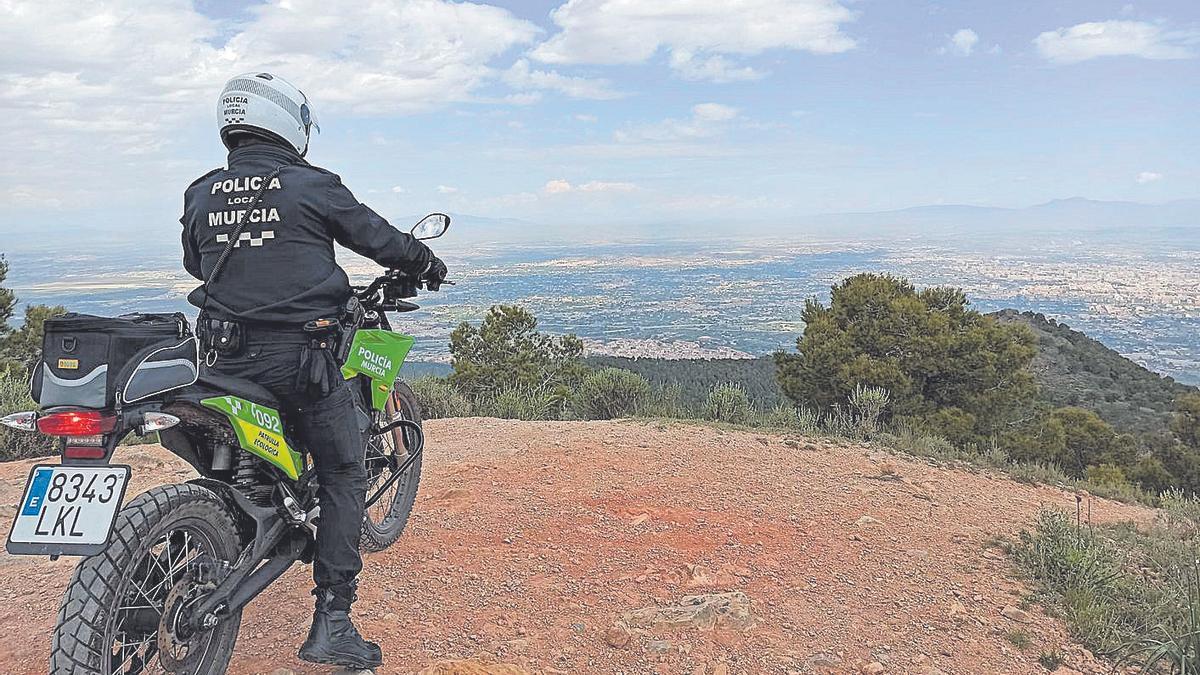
[(590, 112)]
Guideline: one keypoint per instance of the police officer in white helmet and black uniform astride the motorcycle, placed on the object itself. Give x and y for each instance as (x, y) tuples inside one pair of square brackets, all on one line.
[(281, 274)]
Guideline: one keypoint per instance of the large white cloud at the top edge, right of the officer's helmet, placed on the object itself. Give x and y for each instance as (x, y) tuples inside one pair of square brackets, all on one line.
[(699, 34)]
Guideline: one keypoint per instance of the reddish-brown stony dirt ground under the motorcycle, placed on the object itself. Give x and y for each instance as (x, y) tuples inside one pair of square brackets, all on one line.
[(535, 545)]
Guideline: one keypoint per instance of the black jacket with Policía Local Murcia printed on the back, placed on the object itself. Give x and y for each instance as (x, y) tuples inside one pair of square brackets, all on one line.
[(283, 271)]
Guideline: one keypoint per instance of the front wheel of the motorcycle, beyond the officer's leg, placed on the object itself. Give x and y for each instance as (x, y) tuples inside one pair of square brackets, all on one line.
[(387, 453)]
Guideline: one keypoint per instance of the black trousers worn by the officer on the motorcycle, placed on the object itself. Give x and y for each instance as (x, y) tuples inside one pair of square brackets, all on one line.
[(326, 420)]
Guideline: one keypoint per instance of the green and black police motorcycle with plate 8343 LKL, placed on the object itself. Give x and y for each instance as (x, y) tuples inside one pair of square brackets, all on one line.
[(167, 576)]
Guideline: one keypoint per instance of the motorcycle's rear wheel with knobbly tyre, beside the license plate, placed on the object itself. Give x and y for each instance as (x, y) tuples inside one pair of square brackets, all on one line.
[(121, 612)]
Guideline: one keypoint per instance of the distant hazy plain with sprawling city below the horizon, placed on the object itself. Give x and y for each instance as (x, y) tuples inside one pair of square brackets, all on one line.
[(712, 300)]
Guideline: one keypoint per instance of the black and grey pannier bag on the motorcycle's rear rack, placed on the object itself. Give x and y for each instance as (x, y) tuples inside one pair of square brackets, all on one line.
[(91, 361)]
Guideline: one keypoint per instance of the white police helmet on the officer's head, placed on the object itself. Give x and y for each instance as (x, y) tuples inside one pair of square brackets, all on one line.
[(262, 103)]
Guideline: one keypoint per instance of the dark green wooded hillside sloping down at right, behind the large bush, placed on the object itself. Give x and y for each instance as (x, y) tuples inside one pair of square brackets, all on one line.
[(1076, 371)]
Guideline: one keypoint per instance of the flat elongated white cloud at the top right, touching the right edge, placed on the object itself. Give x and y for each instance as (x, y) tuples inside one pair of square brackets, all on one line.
[(1091, 40)]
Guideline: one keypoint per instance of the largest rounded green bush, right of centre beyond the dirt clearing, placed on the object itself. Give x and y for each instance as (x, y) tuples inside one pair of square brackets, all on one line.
[(928, 349)]
